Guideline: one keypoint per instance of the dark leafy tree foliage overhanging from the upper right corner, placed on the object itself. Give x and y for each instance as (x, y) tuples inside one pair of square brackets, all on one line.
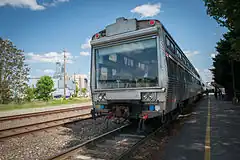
[(227, 14)]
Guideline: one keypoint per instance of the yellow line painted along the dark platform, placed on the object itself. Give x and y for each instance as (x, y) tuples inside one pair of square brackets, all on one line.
[(207, 138)]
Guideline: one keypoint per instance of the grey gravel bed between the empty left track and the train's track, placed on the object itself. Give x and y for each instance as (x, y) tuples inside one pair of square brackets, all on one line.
[(41, 145)]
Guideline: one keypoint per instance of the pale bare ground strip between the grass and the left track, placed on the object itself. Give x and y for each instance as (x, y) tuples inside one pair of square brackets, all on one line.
[(41, 109)]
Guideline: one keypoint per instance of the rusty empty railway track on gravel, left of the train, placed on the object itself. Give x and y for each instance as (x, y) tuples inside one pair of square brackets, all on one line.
[(31, 122)]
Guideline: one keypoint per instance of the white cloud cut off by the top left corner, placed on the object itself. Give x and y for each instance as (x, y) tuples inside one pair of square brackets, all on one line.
[(32, 4)]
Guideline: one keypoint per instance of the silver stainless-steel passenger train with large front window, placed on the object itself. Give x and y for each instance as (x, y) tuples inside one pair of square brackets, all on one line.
[(138, 70)]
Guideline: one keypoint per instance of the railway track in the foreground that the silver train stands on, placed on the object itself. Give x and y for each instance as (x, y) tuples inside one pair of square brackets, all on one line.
[(116, 144)]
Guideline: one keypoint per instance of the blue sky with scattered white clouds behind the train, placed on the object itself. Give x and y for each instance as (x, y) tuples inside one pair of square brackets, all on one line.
[(42, 28)]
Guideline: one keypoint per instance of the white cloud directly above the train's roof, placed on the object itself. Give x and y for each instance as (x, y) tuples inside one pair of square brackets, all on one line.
[(147, 10)]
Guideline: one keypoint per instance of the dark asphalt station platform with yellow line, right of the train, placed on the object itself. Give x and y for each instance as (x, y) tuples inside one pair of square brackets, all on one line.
[(212, 132)]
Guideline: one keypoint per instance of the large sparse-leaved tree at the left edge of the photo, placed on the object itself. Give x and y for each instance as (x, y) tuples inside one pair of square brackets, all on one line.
[(13, 72)]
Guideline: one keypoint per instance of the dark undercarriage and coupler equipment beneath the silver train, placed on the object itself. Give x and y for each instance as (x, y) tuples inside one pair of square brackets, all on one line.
[(129, 112)]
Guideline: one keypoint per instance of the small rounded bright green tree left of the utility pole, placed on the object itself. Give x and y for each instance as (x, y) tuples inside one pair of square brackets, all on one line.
[(44, 88)]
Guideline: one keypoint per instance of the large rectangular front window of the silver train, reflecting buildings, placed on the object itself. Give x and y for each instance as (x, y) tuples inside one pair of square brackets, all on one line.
[(128, 65)]
